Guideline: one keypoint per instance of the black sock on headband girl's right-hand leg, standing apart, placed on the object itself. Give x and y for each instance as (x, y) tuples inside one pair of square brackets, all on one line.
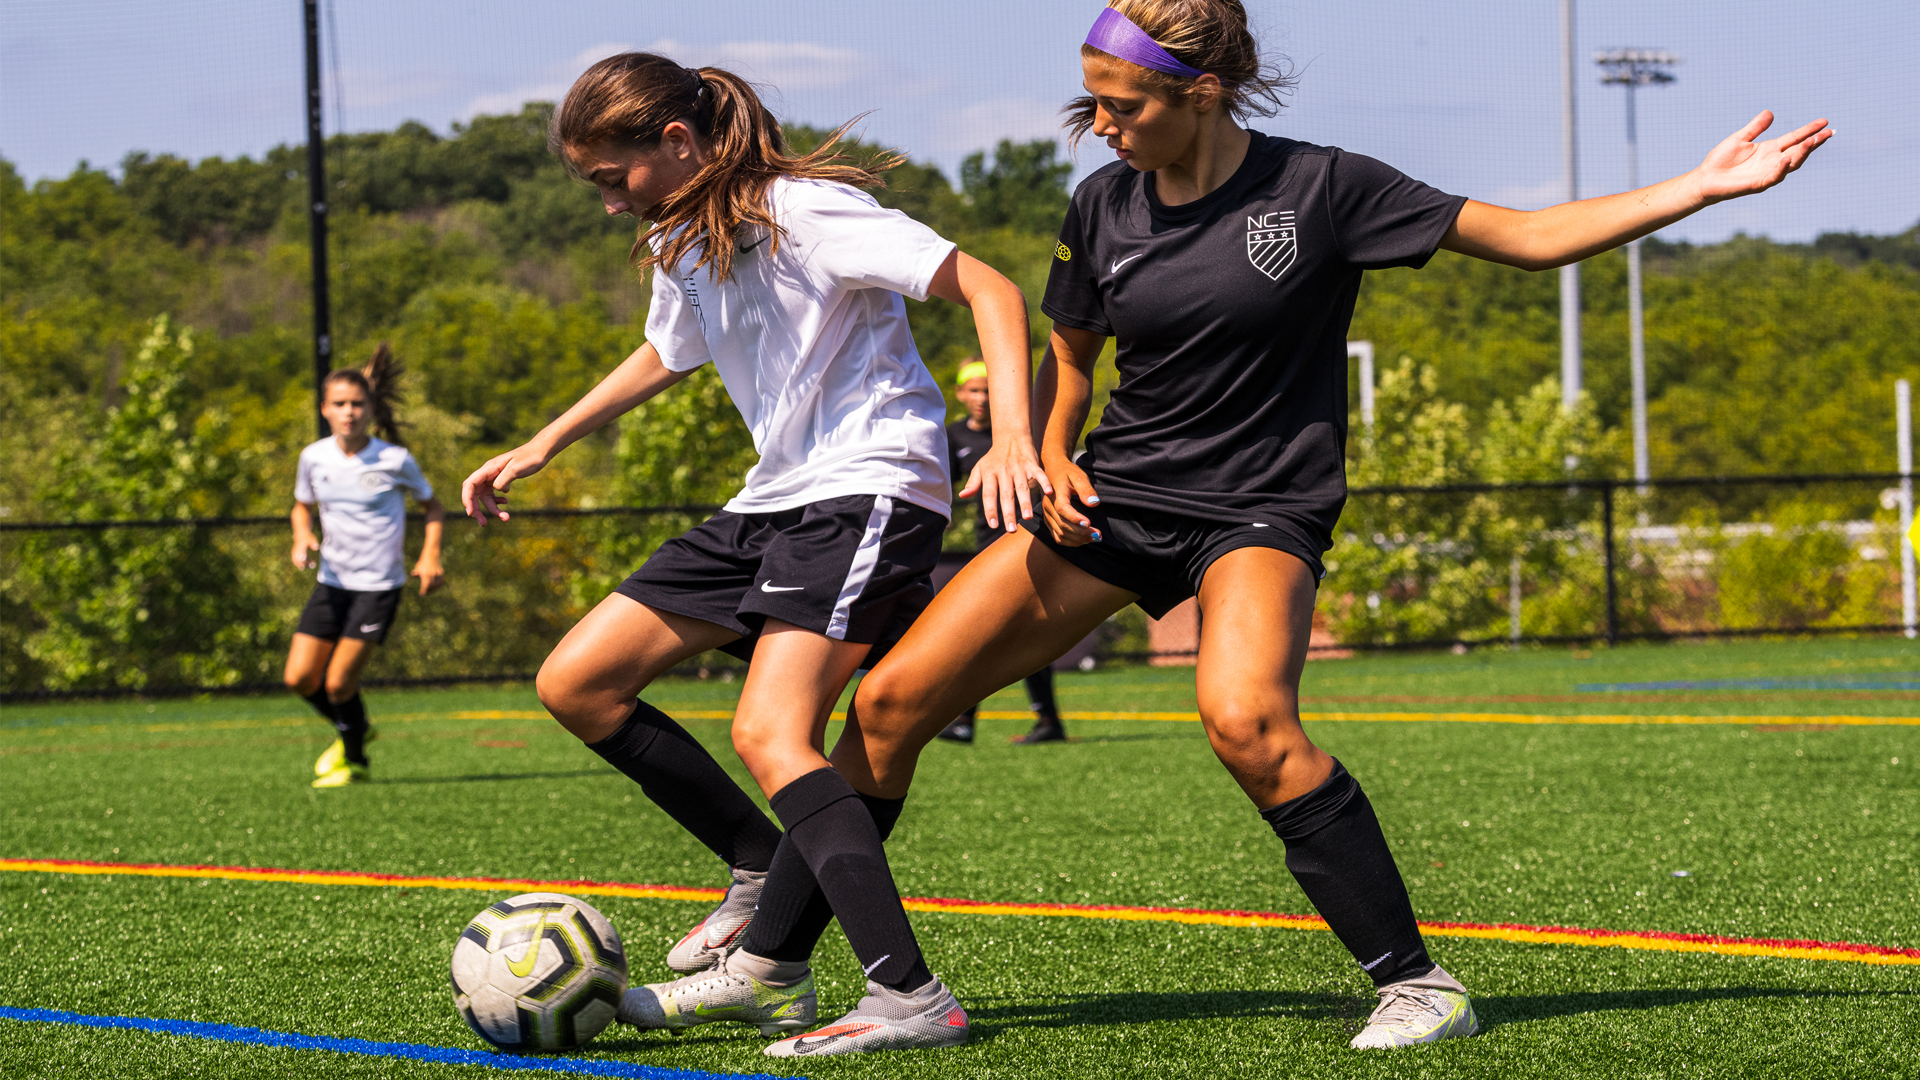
[(1339, 856)]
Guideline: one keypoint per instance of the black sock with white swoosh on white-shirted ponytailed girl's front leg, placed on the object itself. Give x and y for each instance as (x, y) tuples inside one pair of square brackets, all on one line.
[(840, 841)]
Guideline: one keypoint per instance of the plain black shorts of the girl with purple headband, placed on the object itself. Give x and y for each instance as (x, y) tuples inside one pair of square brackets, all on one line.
[(1163, 556)]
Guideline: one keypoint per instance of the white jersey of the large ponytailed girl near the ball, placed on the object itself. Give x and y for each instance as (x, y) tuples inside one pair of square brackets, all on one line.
[(815, 351)]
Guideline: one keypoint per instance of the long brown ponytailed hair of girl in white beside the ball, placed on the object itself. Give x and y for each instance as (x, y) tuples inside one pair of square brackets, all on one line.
[(631, 99)]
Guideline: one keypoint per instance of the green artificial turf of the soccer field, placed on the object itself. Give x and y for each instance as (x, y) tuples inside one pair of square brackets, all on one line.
[(1802, 831)]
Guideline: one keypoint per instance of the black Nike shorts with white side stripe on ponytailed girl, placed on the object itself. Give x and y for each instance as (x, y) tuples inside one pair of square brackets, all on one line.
[(855, 570)]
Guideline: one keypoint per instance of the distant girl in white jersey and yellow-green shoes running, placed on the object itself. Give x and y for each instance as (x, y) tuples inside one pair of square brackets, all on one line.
[(356, 483)]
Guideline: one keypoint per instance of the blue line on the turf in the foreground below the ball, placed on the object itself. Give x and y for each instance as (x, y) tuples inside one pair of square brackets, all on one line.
[(437, 1054)]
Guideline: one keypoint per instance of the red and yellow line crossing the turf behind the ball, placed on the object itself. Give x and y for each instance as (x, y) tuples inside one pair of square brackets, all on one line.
[(1650, 941)]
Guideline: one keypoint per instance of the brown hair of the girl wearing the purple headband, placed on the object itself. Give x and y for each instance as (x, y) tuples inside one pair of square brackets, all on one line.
[(1203, 34)]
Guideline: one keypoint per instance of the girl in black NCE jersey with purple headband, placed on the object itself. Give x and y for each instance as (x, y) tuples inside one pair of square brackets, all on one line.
[(1226, 264)]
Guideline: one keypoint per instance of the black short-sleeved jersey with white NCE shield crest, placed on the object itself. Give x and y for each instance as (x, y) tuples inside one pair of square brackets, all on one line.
[(1232, 318)]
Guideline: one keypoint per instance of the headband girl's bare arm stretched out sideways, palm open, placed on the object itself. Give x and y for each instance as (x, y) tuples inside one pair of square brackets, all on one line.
[(1573, 232)]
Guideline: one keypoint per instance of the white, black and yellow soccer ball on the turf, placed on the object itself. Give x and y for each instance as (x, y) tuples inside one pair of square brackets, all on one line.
[(539, 971)]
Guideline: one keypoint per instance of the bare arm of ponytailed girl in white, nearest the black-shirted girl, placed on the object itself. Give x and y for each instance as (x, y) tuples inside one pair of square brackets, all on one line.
[(1005, 476)]
